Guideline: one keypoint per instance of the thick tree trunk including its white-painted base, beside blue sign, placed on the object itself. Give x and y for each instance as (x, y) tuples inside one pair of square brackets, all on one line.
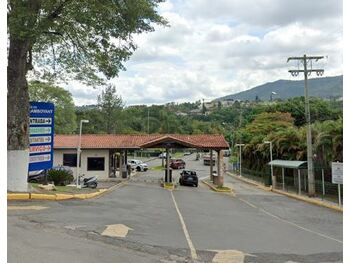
[(17, 116)]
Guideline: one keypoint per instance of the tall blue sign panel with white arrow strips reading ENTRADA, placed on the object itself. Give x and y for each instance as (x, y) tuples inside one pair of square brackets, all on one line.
[(41, 135)]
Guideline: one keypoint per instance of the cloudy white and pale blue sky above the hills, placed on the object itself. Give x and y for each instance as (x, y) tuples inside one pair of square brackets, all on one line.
[(216, 48)]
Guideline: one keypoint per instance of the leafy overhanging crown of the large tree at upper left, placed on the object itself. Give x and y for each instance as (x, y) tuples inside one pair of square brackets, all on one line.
[(81, 39)]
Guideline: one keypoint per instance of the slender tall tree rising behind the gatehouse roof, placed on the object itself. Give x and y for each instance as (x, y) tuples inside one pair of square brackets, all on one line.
[(110, 105)]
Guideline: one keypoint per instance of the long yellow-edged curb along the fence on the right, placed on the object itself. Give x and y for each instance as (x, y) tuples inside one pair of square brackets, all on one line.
[(294, 196)]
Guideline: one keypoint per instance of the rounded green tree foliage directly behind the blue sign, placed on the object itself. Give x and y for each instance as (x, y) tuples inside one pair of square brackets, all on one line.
[(65, 118)]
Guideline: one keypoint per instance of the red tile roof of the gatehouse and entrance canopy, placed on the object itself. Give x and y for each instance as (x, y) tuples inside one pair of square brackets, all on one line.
[(109, 141)]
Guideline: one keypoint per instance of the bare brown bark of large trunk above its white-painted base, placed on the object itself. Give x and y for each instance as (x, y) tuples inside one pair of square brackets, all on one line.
[(17, 96)]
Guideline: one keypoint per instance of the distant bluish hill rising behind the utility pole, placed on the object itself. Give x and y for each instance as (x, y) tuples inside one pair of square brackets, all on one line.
[(319, 87)]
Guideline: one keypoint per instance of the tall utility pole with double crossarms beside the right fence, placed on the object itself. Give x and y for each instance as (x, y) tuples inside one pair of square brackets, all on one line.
[(305, 60)]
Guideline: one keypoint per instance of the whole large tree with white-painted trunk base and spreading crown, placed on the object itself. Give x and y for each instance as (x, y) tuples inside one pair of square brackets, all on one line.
[(86, 40)]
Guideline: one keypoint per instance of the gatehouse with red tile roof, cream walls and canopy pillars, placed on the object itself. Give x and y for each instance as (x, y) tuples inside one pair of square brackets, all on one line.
[(110, 151)]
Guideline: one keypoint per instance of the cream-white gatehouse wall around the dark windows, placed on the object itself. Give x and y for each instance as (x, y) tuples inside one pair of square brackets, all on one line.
[(58, 160)]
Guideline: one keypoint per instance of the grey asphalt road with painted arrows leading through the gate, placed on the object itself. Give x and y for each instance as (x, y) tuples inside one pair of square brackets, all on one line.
[(185, 225)]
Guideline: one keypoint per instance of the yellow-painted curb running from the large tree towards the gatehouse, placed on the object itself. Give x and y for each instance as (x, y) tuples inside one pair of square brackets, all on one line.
[(59, 197)]
